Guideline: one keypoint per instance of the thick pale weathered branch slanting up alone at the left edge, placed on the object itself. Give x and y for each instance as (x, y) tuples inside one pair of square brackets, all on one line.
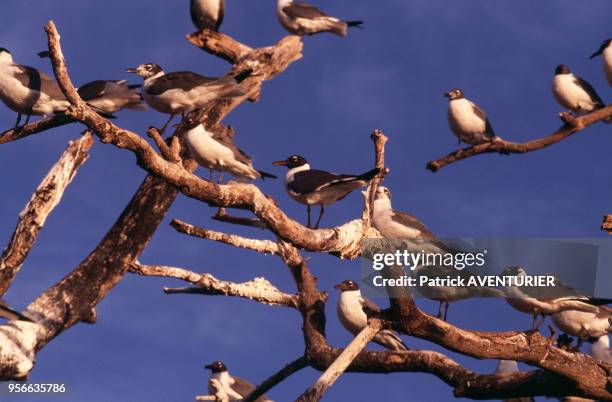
[(47, 196)]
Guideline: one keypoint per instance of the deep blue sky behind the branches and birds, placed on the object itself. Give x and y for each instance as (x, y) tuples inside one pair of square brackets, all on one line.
[(149, 346)]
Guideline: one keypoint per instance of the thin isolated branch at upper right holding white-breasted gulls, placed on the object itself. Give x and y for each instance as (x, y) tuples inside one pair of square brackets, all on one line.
[(572, 126)]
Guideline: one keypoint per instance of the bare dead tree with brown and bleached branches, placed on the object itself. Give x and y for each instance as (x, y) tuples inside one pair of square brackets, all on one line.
[(74, 298)]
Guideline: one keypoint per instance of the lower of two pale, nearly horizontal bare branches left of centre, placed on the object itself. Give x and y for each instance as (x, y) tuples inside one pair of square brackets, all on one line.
[(259, 289)]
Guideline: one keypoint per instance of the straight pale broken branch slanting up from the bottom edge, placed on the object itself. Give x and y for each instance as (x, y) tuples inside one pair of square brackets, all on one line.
[(335, 370)]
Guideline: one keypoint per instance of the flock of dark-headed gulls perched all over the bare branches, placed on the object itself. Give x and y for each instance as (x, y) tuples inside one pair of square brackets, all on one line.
[(29, 91)]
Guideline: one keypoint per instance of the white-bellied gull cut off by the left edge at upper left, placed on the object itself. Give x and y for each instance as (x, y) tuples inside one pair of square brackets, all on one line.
[(28, 91)]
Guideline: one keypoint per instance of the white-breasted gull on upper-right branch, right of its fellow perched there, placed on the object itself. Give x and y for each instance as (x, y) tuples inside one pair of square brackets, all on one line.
[(574, 93)]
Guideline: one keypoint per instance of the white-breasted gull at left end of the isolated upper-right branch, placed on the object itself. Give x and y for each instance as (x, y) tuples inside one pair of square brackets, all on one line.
[(467, 121)]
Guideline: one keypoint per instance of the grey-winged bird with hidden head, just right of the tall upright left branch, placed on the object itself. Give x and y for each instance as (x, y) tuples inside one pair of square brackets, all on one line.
[(108, 96)]
